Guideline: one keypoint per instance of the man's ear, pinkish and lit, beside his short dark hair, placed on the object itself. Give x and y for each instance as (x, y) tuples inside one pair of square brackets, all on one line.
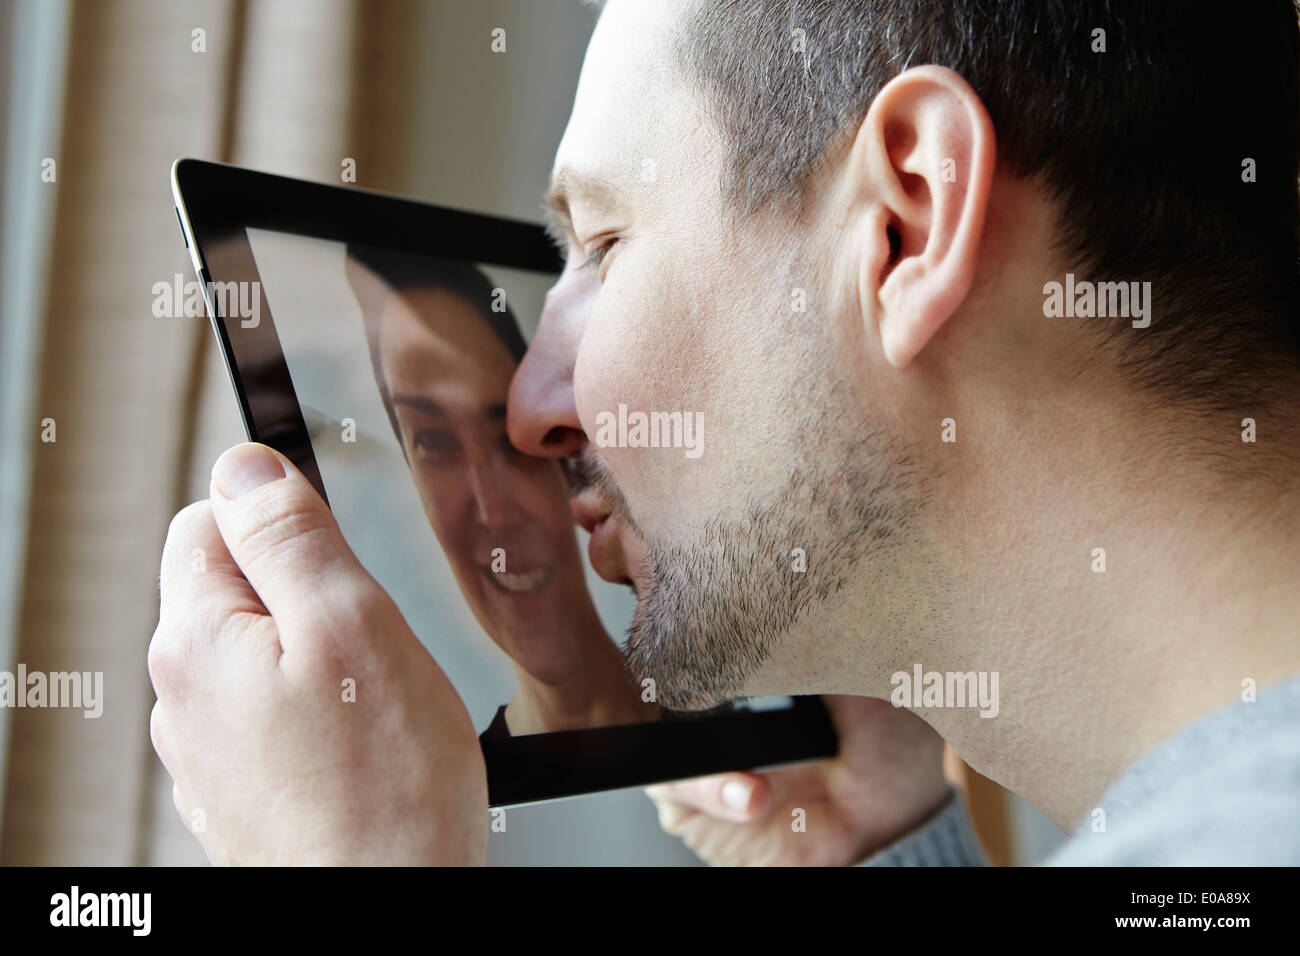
[(925, 159)]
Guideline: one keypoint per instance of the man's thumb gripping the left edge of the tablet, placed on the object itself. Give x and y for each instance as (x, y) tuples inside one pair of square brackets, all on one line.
[(281, 535)]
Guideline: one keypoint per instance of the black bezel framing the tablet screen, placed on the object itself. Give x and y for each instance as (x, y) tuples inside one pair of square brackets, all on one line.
[(215, 205)]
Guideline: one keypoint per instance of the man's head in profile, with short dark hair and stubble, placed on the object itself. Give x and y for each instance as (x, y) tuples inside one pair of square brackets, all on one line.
[(827, 228)]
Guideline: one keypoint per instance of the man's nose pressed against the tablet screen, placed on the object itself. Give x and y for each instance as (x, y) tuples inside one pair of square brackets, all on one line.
[(541, 413)]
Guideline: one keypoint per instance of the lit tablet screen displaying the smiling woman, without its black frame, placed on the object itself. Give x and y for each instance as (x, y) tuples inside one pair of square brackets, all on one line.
[(402, 365)]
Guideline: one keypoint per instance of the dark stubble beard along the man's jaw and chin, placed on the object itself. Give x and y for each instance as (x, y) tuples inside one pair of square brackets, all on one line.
[(717, 605)]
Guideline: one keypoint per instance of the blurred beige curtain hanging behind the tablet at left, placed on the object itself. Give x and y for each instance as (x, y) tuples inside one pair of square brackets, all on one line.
[(141, 404)]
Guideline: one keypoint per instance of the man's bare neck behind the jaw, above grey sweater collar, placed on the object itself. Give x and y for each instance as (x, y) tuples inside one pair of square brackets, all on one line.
[(1120, 602)]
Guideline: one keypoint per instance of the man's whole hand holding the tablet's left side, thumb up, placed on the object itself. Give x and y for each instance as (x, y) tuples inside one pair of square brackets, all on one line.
[(300, 717)]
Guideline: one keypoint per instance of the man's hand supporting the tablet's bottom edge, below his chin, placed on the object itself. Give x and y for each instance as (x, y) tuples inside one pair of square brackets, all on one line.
[(887, 778)]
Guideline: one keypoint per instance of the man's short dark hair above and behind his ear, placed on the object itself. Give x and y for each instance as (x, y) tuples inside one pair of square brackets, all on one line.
[(1142, 146)]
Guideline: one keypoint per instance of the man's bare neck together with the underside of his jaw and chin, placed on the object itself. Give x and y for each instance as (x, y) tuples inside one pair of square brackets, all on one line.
[(1120, 581)]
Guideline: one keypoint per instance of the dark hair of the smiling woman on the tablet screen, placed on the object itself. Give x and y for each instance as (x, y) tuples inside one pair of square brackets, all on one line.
[(415, 271)]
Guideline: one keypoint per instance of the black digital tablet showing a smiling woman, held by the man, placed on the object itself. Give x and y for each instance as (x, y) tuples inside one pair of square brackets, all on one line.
[(372, 340)]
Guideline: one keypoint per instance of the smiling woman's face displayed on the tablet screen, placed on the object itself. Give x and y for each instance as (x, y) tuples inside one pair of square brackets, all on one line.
[(502, 517)]
